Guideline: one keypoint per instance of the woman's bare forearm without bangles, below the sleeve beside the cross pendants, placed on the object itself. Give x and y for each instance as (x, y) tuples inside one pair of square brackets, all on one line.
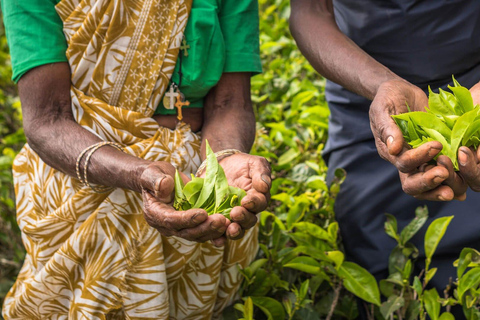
[(229, 120)]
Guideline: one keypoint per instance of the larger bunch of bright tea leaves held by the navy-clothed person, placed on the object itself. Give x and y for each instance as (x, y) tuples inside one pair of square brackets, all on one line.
[(451, 119)]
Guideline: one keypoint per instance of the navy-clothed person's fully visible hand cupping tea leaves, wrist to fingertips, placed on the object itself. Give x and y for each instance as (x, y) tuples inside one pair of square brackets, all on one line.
[(423, 181)]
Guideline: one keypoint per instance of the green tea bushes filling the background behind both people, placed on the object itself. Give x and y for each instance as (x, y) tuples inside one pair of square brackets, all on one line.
[(300, 271)]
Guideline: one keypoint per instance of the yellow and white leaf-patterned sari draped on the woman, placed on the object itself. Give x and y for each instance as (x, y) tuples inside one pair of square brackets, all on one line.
[(93, 256)]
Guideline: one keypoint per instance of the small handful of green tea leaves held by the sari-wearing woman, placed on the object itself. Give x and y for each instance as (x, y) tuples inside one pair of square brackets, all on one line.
[(211, 193)]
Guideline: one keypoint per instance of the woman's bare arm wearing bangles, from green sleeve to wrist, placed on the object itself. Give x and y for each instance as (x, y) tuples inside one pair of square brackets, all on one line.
[(58, 139)]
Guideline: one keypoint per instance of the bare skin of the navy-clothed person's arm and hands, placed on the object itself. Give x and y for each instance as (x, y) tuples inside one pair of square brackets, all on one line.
[(339, 59)]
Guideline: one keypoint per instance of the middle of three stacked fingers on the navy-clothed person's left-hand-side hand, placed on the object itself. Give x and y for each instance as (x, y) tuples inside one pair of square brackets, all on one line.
[(420, 182)]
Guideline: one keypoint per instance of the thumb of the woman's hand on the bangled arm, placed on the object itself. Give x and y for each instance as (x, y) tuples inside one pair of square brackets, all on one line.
[(158, 184)]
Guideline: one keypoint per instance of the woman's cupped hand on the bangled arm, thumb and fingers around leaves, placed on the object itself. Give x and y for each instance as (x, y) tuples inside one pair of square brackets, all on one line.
[(158, 186)]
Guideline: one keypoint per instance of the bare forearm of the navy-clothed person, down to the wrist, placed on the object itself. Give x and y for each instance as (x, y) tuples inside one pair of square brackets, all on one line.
[(333, 54)]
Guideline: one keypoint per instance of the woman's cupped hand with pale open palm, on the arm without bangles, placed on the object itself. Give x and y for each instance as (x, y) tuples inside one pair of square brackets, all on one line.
[(252, 174)]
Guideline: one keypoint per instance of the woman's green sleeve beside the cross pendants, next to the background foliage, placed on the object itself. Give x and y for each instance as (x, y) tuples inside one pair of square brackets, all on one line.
[(240, 28)]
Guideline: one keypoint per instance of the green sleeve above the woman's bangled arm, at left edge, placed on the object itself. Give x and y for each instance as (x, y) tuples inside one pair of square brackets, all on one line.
[(34, 34)]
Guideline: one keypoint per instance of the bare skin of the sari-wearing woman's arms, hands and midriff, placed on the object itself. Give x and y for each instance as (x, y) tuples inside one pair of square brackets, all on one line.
[(45, 95)]
